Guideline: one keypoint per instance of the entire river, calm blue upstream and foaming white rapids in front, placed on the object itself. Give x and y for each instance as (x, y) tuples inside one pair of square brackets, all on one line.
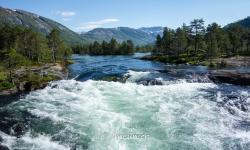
[(123, 103)]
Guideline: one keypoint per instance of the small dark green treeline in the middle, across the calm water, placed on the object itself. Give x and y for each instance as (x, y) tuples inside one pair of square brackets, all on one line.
[(105, 48)]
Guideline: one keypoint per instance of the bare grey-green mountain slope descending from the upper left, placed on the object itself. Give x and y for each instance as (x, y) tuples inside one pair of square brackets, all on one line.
[(37, 23)]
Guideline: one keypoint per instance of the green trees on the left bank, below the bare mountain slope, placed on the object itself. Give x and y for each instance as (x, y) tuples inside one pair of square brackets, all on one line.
[(21, 46)]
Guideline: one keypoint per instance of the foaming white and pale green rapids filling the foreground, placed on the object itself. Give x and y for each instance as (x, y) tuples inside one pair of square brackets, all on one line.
[(100, 115)]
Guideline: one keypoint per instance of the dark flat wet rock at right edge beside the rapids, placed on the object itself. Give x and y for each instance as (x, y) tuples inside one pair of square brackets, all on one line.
[(231, 77)]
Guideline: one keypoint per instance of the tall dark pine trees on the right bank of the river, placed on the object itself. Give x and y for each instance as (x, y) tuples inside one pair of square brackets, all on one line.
[(195, 42)]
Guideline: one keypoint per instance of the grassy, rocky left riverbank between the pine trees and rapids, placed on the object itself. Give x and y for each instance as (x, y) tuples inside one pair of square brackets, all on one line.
[(28, 78)]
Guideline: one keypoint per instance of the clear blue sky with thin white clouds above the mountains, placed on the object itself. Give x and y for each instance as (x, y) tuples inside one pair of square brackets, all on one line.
[(84, 15)]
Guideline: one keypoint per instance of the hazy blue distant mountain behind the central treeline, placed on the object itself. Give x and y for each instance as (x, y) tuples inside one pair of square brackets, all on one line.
[(139, 36)]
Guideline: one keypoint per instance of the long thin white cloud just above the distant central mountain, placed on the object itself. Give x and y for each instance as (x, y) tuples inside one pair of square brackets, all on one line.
[(96, 24)]
